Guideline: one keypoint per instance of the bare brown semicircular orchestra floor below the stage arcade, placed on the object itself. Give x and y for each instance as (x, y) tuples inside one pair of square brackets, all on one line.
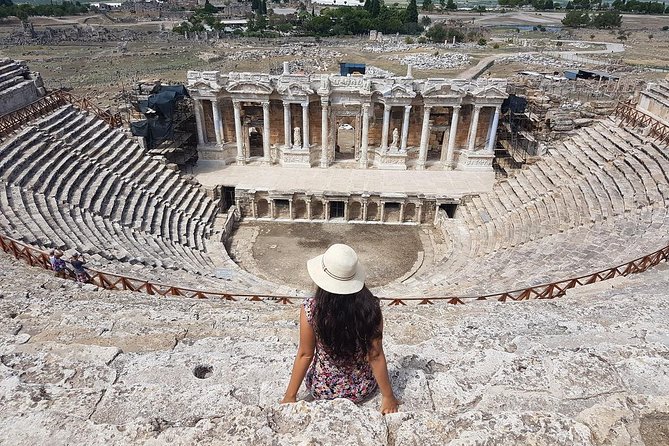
[(281, 250)]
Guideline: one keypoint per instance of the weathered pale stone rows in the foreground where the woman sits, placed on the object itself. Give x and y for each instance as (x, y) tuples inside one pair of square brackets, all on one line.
[(79, 366)]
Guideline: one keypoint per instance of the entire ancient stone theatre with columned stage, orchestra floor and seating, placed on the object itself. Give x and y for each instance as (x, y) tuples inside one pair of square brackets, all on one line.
[(523, 304)]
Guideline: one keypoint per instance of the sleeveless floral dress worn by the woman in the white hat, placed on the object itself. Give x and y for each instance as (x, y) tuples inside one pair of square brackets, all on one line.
[(328, 378)]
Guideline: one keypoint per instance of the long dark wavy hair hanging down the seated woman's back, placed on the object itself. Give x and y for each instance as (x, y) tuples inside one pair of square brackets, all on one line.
[(346, 324)]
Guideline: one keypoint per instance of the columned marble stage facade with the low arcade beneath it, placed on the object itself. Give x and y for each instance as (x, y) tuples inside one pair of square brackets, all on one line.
[(357, 122)]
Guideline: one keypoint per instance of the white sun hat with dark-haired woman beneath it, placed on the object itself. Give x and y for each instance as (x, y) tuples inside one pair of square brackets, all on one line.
[(338, 270)]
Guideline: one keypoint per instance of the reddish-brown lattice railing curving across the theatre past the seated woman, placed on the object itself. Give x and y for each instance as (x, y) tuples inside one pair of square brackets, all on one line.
[(110, 281)]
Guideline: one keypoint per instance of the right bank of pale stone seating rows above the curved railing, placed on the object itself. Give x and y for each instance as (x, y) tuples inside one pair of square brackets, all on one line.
[(597, 199)]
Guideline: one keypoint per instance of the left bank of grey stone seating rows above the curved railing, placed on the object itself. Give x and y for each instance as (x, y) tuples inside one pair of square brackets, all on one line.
[(70, 181)]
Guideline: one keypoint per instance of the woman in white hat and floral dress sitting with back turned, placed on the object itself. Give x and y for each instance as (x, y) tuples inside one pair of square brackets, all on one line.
[(341, 332)]
